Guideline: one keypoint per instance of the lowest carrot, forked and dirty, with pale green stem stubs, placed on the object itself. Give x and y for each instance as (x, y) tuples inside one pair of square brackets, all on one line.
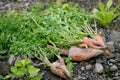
[(59, 68)]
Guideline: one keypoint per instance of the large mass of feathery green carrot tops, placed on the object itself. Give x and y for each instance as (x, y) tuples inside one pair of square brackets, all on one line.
[(28, 33)]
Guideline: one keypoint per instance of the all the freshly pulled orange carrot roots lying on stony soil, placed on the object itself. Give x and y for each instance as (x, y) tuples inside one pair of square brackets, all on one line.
[(90, 47)]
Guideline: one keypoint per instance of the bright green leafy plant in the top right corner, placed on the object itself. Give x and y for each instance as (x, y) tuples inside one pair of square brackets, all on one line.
[(106, 13)]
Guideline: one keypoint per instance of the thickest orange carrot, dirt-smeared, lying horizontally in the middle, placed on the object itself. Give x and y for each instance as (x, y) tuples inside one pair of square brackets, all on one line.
[(78, 54)]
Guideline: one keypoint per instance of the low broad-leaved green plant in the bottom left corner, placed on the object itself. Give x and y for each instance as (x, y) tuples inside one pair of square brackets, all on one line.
[(24, 68)]
